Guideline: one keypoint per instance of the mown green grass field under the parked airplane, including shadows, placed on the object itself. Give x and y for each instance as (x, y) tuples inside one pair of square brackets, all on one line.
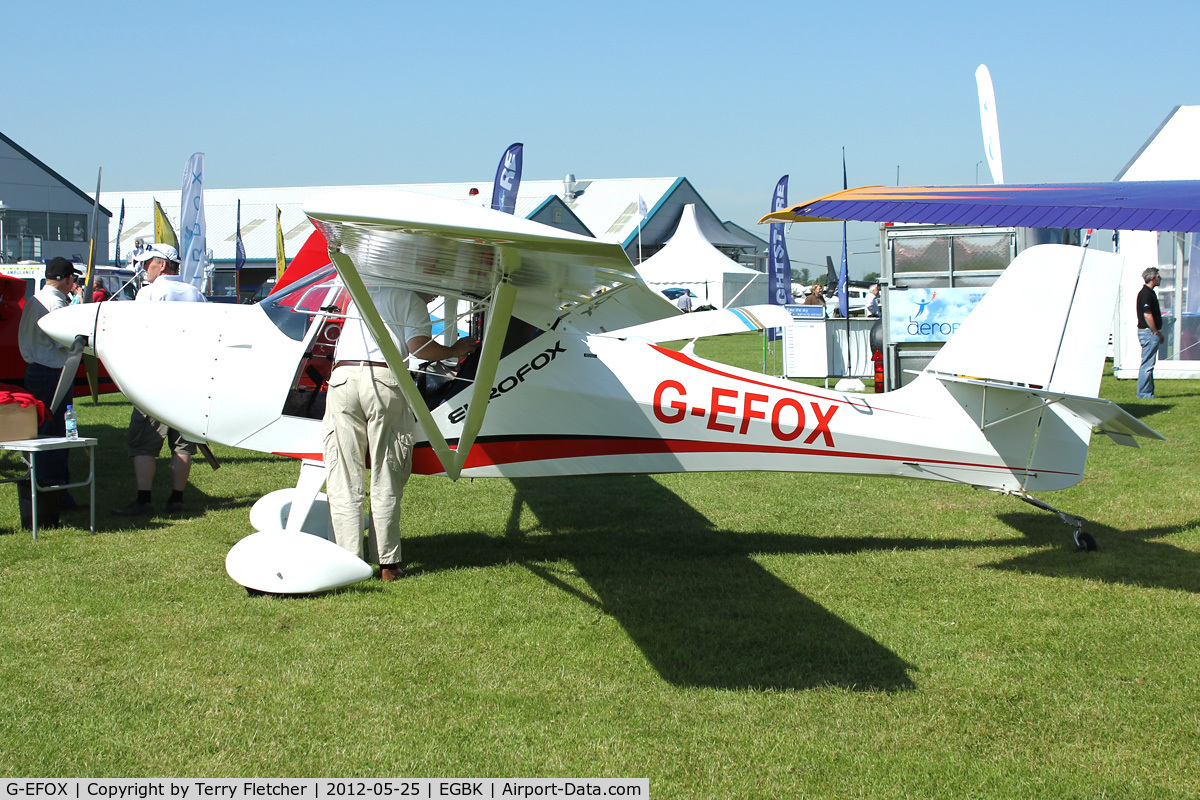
[(725, 636)]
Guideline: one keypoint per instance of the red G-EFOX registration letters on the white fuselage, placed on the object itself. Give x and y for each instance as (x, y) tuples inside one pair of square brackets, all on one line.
[(731, 411)]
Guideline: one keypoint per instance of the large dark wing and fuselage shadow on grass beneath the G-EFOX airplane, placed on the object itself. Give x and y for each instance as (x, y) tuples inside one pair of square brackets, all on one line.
[(701, 610)]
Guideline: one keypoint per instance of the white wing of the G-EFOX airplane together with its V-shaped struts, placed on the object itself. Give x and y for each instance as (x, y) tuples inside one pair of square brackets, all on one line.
[(513, 267)]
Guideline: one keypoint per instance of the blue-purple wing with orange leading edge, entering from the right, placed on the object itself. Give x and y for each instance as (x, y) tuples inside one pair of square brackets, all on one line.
[(1123, 206)]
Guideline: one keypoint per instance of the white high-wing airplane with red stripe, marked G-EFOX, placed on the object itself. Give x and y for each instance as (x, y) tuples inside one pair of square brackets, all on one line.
[(569, 382)]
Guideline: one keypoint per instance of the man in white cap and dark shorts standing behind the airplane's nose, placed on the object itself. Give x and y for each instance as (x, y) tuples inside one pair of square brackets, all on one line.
[(147, 435)]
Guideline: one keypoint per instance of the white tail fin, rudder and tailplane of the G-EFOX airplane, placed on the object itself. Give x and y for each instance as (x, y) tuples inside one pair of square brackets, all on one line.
[(1027, 363)]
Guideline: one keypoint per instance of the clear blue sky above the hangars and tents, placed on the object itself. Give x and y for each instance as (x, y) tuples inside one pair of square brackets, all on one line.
[(729, 95)]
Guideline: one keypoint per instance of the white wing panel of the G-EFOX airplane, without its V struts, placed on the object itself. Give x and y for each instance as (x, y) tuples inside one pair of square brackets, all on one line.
[(453, 249)]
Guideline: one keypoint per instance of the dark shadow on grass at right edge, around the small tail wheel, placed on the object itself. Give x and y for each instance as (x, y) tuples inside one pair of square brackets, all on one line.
[(1124, 557)]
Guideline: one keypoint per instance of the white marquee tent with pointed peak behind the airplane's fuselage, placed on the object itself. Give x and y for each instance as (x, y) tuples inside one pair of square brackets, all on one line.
[(691, 262)]
